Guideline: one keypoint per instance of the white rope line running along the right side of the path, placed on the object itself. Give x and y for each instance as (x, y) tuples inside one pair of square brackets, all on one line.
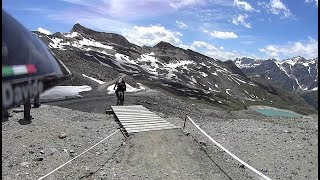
[(224, 149)]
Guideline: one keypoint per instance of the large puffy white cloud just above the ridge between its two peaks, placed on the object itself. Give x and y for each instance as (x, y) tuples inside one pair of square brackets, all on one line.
[(152, 35)]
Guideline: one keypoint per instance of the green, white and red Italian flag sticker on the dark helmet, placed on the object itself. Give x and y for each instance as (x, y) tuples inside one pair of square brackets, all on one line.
[(18, 70)]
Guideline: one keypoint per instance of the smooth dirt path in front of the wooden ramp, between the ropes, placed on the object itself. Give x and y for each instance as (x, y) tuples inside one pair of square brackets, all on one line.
[(165, 154)]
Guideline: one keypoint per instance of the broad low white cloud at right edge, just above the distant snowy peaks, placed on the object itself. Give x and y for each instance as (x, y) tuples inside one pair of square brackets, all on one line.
[(307, 49)]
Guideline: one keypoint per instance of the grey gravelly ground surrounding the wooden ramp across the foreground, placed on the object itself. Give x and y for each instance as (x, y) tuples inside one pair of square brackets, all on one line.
[(281, 148)]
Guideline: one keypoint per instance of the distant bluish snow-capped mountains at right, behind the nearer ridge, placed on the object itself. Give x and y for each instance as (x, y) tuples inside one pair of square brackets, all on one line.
[(295, 75)]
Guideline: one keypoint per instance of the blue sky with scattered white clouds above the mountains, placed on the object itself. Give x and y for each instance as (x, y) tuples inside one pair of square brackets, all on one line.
[(223, 29)]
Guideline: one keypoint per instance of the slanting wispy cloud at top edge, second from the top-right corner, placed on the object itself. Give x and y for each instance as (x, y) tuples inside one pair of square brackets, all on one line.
[(276, 7)]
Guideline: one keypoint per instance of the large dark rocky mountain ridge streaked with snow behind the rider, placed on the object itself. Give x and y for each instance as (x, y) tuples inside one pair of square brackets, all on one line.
[(183, 72)]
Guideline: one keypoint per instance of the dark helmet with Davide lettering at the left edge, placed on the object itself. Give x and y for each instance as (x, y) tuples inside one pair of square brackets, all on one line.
[(29, 67)]
